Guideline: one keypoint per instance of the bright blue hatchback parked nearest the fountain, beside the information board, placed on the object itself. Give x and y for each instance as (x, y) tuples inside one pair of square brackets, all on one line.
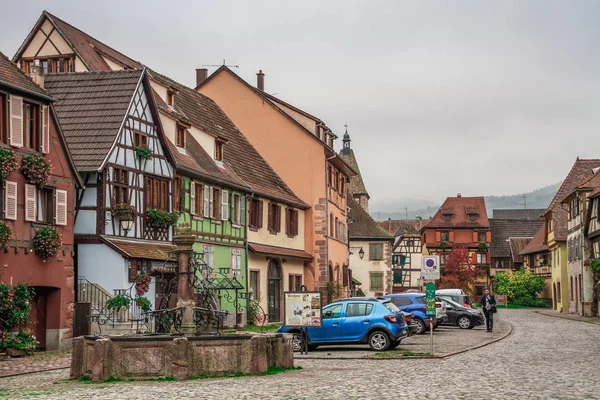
[(357, 320)]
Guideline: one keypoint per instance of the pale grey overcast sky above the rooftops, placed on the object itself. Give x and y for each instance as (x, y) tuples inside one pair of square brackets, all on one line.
[(478, 97)]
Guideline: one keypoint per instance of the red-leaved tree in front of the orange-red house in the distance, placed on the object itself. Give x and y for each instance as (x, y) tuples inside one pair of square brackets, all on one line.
[(459, 272)]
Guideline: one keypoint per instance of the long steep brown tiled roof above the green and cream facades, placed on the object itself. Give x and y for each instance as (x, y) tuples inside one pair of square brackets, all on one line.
[(239, 155)]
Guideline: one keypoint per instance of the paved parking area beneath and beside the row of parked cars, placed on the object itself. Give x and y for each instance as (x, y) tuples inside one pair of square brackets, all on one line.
[(447, 341)]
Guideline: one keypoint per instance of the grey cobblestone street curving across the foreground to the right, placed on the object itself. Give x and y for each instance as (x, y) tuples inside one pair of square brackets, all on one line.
[(544, 358)]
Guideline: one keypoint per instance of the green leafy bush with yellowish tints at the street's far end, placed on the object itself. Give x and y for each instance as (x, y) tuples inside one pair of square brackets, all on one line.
[(521, 284)]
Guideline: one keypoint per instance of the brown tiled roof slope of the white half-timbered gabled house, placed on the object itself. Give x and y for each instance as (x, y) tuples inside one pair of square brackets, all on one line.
[(91, 107)]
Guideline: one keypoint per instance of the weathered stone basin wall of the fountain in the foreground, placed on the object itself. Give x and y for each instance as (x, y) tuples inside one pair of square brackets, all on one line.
[(178, 357)]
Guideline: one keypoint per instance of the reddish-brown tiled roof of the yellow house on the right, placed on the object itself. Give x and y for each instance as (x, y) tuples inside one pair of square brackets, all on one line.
[(581, 171)]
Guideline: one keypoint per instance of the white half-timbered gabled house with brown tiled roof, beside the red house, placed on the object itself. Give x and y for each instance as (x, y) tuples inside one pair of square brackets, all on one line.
[(107, 118)]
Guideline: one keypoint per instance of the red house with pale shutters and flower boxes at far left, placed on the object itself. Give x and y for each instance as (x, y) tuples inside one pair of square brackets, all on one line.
[(29, 129)]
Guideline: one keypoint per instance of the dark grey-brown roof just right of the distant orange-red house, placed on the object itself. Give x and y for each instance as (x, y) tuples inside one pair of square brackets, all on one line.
[(504, 229)]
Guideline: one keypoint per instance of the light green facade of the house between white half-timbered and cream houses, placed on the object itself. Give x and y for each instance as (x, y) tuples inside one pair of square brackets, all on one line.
[(221, 236)]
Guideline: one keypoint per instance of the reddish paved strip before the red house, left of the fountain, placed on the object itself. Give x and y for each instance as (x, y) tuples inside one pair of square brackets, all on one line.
[(38, 362)]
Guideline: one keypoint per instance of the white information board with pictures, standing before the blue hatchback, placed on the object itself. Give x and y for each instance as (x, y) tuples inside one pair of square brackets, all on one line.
[(302, 309)]
